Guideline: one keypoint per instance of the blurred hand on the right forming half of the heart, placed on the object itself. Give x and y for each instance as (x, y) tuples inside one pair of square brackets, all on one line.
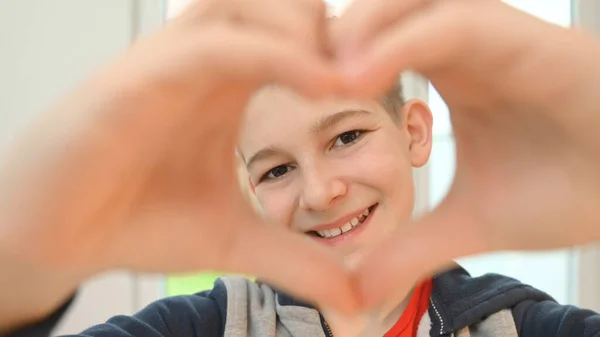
[(525, 111)]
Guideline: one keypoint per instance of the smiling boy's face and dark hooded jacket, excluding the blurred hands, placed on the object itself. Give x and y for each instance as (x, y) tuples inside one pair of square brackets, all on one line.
[(340, 171)]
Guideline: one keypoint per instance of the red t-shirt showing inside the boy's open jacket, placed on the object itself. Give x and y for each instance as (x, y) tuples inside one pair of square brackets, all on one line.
[(409, 320)]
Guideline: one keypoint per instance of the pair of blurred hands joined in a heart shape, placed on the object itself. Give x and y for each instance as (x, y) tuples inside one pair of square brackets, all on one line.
[(135, 168)]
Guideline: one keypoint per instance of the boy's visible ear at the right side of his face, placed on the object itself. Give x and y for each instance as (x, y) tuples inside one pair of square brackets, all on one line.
[(418, 121)]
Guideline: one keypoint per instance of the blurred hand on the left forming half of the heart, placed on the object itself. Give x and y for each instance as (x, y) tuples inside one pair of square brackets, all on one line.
[(136, 168)]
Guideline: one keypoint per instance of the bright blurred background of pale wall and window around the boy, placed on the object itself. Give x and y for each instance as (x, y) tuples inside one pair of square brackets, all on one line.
[(48, 46)]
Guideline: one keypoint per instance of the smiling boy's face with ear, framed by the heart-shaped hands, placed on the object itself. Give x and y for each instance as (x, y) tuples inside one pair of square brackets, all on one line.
[(339, 171)]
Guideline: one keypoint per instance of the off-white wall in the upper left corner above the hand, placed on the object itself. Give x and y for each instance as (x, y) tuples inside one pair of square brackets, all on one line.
[(47, 46)]
